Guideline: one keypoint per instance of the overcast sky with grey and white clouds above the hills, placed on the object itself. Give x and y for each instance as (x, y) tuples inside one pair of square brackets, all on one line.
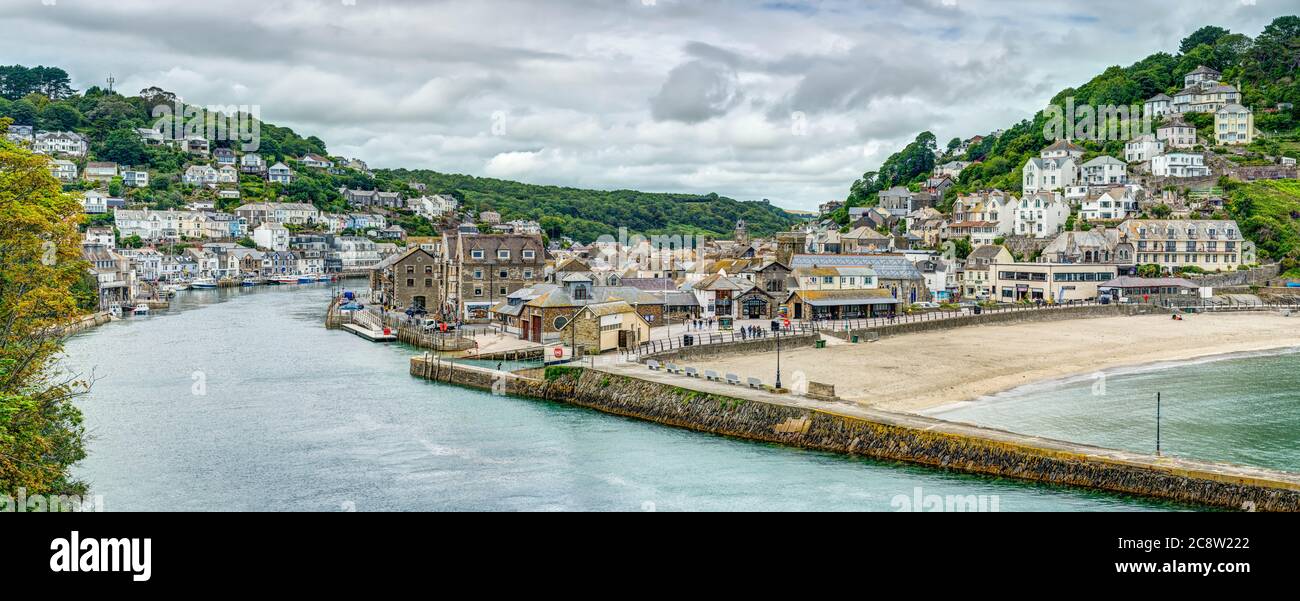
[(783, 101)]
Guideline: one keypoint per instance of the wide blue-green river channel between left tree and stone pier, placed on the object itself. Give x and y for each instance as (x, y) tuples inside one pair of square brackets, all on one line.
[(241, 400)]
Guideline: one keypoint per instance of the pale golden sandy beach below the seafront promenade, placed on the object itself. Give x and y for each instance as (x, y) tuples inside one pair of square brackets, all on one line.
[(917, 373)]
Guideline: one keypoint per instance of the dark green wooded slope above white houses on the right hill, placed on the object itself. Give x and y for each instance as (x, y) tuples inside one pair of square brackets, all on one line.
[(1266, 68)]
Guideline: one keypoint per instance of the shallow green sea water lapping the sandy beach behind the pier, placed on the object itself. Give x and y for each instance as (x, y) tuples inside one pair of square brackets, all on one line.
[(1242, 409)]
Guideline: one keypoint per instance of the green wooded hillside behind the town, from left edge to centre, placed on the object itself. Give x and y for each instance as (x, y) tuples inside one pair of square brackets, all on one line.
[(44, 98)]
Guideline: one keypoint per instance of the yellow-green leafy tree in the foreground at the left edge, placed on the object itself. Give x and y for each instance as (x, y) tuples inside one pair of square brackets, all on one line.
[(41, 430)]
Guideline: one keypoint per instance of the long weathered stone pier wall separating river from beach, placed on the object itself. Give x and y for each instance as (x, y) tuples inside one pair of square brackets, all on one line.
[(852, 430)]
